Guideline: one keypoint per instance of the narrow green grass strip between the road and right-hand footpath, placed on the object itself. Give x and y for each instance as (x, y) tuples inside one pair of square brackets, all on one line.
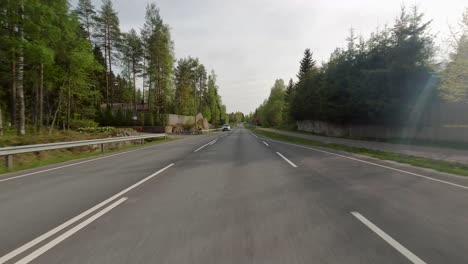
[(438, 165)]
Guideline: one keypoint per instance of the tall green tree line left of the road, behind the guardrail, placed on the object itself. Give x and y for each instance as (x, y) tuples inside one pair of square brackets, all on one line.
[(59, 64)]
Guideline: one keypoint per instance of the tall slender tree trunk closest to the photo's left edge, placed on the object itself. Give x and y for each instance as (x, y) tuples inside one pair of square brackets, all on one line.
[(21, 124)]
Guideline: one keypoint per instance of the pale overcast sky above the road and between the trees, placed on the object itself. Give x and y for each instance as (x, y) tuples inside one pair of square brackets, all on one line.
[(250, 43)]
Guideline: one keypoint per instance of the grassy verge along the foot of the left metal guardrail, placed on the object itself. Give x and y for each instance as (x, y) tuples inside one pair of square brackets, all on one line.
[(31, 160)]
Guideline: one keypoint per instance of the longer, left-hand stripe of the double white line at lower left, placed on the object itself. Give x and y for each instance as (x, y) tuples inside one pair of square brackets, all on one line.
[(57, 229)]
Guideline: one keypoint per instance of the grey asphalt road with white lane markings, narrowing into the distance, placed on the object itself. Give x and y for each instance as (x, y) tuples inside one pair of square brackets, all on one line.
[(233, 198)]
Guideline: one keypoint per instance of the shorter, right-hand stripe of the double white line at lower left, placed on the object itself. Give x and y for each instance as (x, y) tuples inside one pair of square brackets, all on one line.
[(69, 233)]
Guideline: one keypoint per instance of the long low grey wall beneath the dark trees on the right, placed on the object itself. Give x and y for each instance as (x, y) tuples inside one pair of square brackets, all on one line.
[(455, 133)]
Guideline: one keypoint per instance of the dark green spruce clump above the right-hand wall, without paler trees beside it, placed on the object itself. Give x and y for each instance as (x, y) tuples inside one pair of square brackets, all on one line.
[(374, 81)]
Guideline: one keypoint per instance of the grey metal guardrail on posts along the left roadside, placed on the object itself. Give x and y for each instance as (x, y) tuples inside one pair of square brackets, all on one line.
[(8, 152)]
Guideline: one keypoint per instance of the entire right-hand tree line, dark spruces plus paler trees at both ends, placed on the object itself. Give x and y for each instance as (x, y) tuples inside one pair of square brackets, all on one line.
[(386, 79)]
